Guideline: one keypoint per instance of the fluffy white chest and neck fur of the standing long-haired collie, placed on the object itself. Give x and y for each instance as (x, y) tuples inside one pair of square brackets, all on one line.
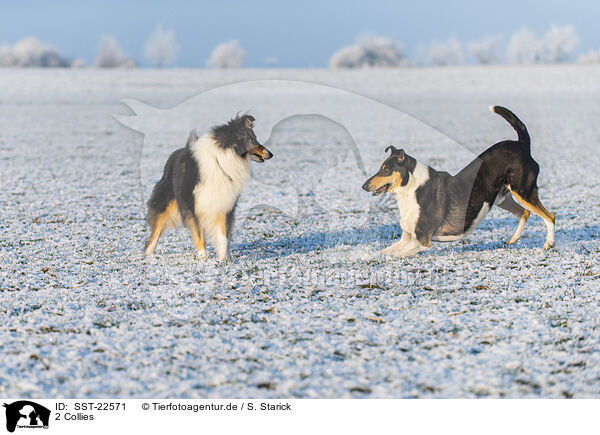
[(222, 176)]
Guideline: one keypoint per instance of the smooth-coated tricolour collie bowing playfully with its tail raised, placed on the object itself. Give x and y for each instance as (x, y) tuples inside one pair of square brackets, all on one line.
[(441, 207)]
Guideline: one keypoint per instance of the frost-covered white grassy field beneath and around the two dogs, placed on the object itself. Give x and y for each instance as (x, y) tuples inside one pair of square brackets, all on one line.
[(305, 309)]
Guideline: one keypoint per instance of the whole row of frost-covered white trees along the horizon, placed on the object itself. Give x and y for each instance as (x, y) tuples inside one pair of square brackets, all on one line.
[(557, 45)]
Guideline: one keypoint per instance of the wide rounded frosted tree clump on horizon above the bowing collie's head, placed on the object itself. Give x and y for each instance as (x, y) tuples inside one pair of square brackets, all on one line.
[(369, 51)]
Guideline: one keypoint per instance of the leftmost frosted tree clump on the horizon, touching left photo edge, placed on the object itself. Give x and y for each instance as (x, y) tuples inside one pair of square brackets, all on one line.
[(30, 52)]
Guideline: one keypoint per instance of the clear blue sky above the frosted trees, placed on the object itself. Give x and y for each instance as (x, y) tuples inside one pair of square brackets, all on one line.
[(297, 34)]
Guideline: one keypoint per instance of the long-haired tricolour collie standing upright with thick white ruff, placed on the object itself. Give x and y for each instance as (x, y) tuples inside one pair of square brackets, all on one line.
[(201, 185)]
